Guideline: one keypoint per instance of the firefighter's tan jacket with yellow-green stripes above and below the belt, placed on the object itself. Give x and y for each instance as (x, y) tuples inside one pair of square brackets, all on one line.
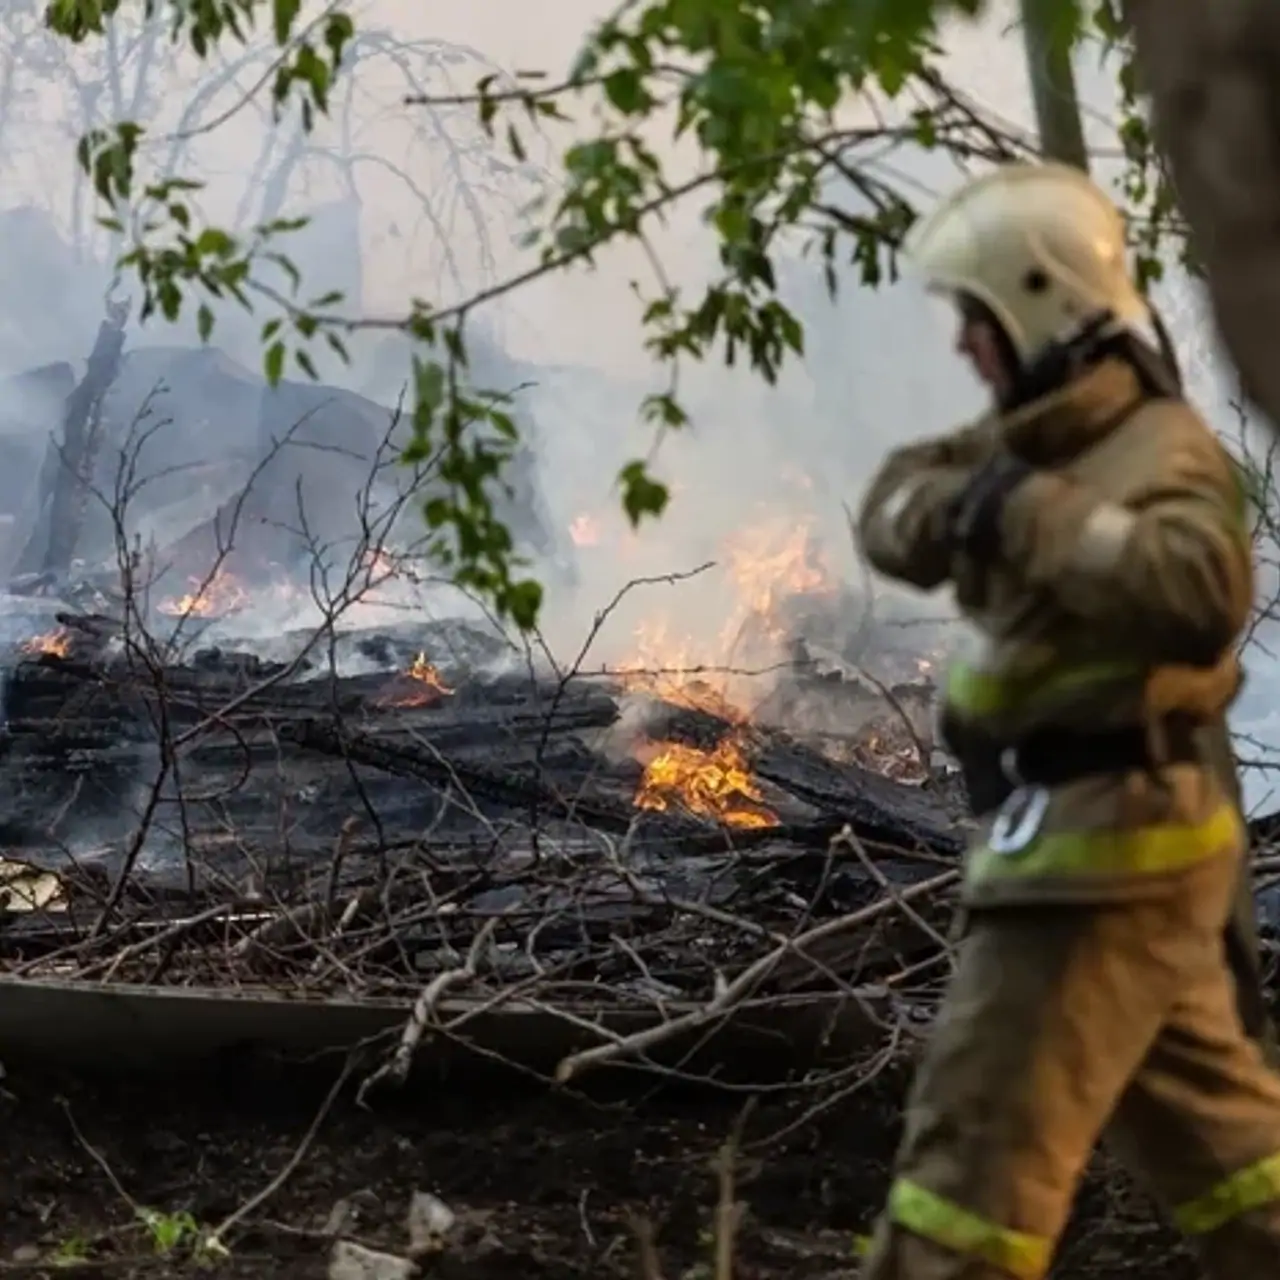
[(1123, 588)]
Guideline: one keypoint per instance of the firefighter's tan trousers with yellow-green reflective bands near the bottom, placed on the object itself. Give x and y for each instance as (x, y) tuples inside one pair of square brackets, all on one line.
[(1064, 1022)]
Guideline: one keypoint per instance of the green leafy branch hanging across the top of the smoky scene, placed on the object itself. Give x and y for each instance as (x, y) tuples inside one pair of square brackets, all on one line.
[(762, 90)]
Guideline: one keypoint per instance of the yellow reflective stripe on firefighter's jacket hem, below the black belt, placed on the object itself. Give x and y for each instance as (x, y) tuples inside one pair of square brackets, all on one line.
[(1135, 852)]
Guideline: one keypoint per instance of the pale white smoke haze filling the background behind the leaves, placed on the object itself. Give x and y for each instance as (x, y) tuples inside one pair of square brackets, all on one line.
[(412, 202)]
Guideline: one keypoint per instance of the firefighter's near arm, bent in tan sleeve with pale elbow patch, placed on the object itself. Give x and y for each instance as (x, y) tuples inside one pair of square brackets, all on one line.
[(1167, 573)]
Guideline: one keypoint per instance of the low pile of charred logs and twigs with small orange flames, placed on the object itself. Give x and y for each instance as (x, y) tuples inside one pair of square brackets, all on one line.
[(444, 817)]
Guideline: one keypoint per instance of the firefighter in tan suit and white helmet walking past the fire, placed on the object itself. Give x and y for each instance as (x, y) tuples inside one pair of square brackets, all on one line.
[(1095, 536)]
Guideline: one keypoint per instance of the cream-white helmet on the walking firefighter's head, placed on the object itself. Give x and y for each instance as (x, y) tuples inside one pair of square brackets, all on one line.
[(1040, 245)]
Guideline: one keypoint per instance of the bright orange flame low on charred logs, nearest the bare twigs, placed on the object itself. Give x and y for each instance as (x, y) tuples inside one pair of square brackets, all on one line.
[(710, 784)]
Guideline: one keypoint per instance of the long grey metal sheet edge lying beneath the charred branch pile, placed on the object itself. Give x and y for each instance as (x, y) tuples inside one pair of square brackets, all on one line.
[(131, 1028)]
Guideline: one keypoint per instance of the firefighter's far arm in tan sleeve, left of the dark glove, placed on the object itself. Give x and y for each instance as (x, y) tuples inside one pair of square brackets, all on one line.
[(903, 525)]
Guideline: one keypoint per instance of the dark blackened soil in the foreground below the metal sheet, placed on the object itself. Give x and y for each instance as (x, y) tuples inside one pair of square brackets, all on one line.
[(543, 1185)]
